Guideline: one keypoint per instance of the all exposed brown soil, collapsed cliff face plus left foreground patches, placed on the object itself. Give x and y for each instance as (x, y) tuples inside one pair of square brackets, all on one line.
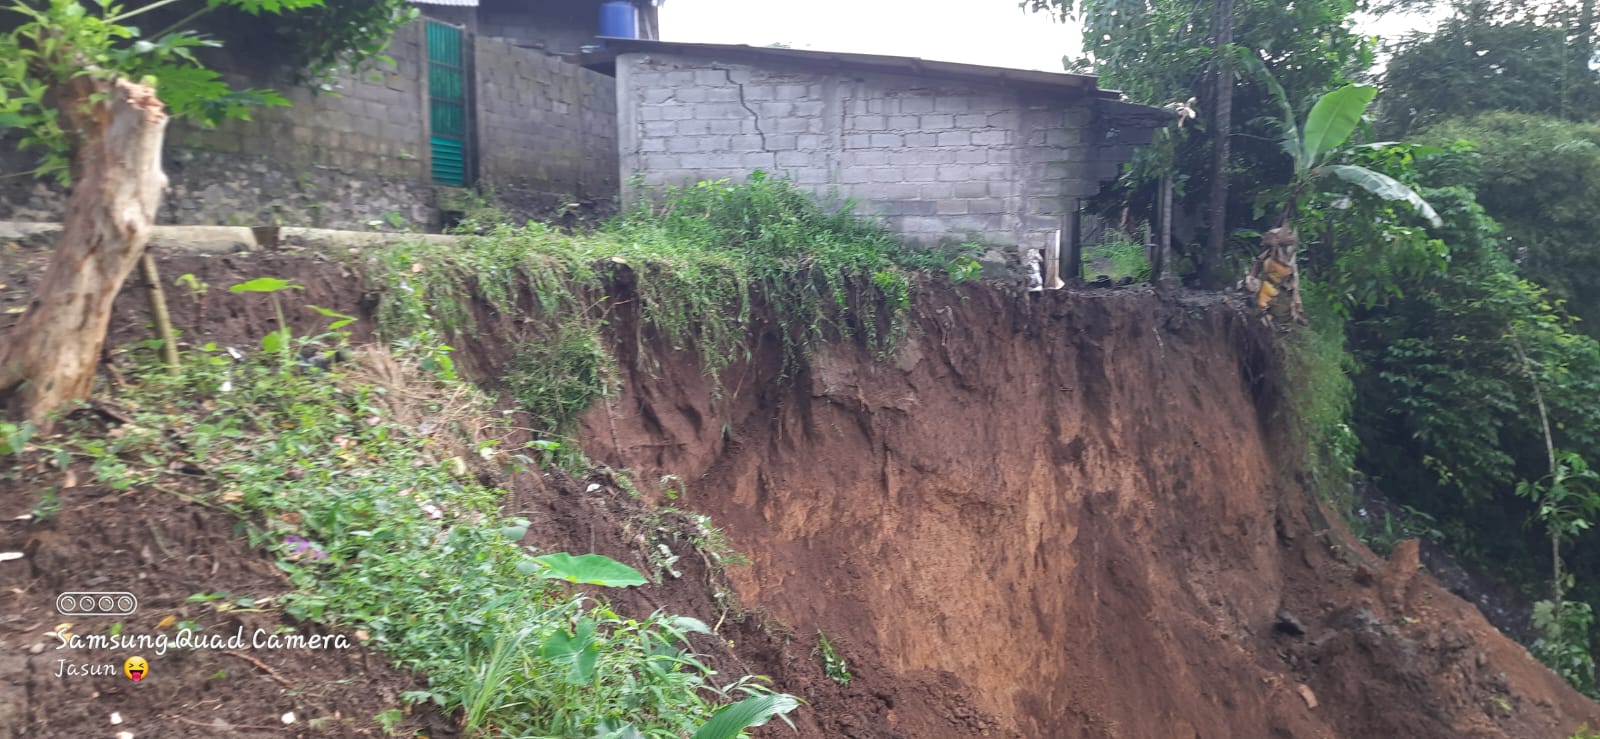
[(1047, 516)]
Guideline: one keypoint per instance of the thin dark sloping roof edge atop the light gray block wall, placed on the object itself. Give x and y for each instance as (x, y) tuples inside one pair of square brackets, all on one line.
[(606, 62)]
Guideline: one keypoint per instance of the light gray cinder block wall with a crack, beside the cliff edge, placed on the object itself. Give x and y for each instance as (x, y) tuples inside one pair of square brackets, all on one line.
[(938, 161)]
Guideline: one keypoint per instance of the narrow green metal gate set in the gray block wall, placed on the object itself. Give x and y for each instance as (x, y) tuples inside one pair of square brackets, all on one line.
[(447, 102)]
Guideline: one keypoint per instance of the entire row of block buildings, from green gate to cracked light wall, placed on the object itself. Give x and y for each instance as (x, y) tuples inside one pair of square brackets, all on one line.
[(529, 102)]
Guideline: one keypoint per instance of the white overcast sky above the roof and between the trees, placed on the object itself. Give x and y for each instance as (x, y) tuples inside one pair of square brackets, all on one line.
[(994, 33)]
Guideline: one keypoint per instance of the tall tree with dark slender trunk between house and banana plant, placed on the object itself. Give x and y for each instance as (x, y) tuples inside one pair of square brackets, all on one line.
[(1159, 52)]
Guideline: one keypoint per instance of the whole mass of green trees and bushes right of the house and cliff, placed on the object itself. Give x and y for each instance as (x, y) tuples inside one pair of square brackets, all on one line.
[(1444, 364)]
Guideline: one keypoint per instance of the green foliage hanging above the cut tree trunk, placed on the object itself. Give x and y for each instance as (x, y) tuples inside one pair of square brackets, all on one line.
[(52, 42)]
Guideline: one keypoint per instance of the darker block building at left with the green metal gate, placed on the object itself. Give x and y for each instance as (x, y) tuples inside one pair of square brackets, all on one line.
[(481, 94)]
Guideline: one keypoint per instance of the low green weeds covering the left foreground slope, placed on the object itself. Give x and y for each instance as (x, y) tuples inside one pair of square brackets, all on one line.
[(361, 482)]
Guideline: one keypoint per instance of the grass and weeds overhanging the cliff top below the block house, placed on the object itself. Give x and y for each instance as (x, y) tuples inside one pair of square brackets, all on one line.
[(705, 255)]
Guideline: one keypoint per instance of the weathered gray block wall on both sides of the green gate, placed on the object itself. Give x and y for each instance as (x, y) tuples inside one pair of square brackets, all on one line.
[(358, 156)]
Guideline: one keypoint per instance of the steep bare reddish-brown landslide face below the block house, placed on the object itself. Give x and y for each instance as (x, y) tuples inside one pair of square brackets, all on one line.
[(1060, 517)]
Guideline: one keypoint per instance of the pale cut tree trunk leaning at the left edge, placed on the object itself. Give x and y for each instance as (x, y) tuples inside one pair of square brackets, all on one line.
[(50, 356)]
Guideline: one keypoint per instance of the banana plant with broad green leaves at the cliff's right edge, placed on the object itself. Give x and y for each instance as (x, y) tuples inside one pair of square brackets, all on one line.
[(1316, 146)]
